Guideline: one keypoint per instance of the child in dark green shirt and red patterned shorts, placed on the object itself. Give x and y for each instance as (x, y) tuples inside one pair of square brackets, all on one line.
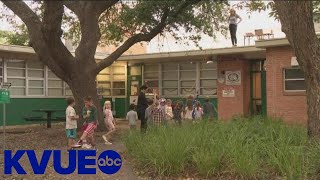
[(89, 113)]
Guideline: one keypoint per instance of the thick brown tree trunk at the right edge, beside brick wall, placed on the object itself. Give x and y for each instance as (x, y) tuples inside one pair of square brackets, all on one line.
[(299, 29)]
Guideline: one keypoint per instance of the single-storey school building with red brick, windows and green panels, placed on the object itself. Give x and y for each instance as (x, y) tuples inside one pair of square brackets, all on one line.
[(261, 79)]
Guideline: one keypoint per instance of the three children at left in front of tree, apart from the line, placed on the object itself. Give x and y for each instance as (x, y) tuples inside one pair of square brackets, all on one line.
[(89, 114)]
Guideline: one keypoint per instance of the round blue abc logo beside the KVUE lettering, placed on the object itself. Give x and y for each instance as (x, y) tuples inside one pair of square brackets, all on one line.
[(109, 162)]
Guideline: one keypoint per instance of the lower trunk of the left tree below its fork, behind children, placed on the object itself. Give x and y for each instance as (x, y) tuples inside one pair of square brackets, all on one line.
[(83, 85)]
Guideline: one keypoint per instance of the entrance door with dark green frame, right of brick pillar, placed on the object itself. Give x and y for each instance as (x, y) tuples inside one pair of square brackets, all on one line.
[(258, 88)]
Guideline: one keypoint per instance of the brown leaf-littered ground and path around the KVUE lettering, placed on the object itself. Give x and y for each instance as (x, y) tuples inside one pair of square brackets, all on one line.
[(40, 138)]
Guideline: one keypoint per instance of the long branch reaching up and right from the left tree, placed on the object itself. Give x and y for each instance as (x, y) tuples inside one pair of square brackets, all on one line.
[(142, 36)]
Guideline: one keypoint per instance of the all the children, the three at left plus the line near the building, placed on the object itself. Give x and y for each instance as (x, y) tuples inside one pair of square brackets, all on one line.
[(158, 112)]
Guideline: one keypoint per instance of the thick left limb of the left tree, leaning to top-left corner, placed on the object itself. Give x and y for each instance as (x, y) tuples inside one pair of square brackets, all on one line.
[(33, 24)]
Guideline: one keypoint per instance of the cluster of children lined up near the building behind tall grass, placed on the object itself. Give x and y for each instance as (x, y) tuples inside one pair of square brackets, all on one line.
[(162, 111)]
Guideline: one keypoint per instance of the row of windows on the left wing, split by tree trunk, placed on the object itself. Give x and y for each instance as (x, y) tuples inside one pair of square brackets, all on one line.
[(33, 78)]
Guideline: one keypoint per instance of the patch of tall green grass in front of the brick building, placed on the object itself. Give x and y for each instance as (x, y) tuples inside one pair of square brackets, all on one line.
[(247, 148)]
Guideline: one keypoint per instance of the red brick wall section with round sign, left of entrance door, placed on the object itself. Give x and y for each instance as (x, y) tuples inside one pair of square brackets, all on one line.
[(238, 105)]
